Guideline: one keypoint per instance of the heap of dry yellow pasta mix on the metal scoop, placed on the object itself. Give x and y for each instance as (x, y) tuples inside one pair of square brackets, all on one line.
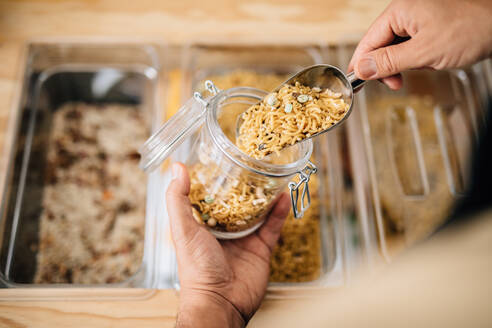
[(292, 114)]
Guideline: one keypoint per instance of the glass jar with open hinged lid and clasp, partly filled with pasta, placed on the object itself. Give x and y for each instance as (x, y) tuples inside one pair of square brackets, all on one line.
[(231, 193)]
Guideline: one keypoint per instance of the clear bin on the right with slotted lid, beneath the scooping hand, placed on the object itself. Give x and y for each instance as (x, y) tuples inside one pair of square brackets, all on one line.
[(413, 149)]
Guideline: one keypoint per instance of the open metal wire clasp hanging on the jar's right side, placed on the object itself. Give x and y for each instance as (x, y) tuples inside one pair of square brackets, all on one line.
[(304, 176)]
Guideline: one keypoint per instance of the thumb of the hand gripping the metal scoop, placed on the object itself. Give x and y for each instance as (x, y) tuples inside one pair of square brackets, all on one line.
[(388, 61)]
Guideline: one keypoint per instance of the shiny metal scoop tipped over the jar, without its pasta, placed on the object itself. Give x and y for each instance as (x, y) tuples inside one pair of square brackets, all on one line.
[(323, 76)]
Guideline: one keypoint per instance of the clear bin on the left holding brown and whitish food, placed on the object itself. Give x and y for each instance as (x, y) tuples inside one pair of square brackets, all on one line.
[(111, 88)]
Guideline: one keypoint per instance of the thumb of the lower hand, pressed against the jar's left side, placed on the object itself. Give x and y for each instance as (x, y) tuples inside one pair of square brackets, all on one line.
[(183, 225)]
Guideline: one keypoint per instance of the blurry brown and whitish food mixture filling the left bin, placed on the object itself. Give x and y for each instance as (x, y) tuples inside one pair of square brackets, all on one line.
[(92, 223)]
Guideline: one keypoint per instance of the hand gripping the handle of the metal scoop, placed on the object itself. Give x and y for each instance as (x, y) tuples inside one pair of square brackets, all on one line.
[(440, 34)]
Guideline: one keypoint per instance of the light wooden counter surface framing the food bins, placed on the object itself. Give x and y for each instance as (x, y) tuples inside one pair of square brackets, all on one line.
[(176, 22)]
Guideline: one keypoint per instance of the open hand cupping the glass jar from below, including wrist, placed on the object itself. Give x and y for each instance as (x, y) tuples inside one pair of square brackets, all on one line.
[(222, 282)]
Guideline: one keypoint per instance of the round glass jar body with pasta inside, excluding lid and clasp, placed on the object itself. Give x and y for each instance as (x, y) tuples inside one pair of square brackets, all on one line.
[(231, 192)]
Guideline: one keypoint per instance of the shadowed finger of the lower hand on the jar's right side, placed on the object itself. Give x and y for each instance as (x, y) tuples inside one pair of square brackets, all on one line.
[(270, 231)]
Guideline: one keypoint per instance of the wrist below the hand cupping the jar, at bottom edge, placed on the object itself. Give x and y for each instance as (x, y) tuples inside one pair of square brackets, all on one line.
[(200, 308)]
